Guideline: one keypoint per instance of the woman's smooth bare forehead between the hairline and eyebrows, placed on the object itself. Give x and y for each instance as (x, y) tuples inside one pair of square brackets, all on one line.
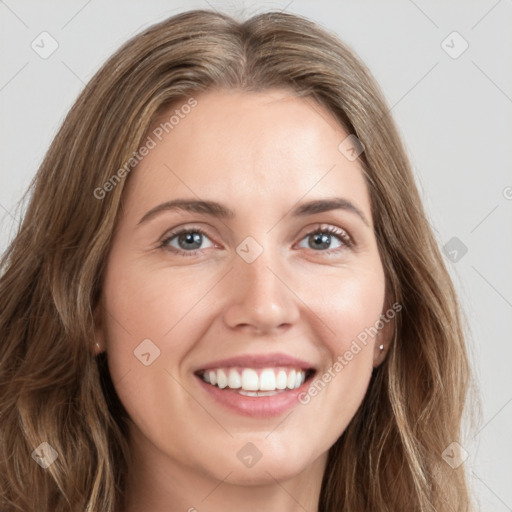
[(252, 147)]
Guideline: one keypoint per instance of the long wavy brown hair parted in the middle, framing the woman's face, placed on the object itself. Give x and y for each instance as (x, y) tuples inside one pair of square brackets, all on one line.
[(53, 389)]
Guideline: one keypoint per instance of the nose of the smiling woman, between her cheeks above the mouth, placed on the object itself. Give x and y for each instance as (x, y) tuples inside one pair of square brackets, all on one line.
[(260, 299)]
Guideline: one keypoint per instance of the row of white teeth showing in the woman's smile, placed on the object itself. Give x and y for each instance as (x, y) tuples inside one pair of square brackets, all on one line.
[(251, 382)]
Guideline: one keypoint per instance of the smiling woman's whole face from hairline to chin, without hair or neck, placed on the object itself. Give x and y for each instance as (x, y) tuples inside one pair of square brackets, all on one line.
[(280, 286)]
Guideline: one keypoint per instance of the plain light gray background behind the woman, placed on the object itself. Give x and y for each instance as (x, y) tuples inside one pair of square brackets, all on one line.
[(454, 115)]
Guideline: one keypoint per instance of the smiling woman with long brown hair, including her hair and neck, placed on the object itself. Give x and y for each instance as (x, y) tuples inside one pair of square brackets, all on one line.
[(307, 353)]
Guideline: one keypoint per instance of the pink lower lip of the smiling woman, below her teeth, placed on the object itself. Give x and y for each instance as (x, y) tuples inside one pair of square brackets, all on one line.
[(255, 406)]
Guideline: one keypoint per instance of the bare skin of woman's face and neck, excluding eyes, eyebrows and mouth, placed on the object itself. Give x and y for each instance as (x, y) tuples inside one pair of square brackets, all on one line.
[(259, 154)]
